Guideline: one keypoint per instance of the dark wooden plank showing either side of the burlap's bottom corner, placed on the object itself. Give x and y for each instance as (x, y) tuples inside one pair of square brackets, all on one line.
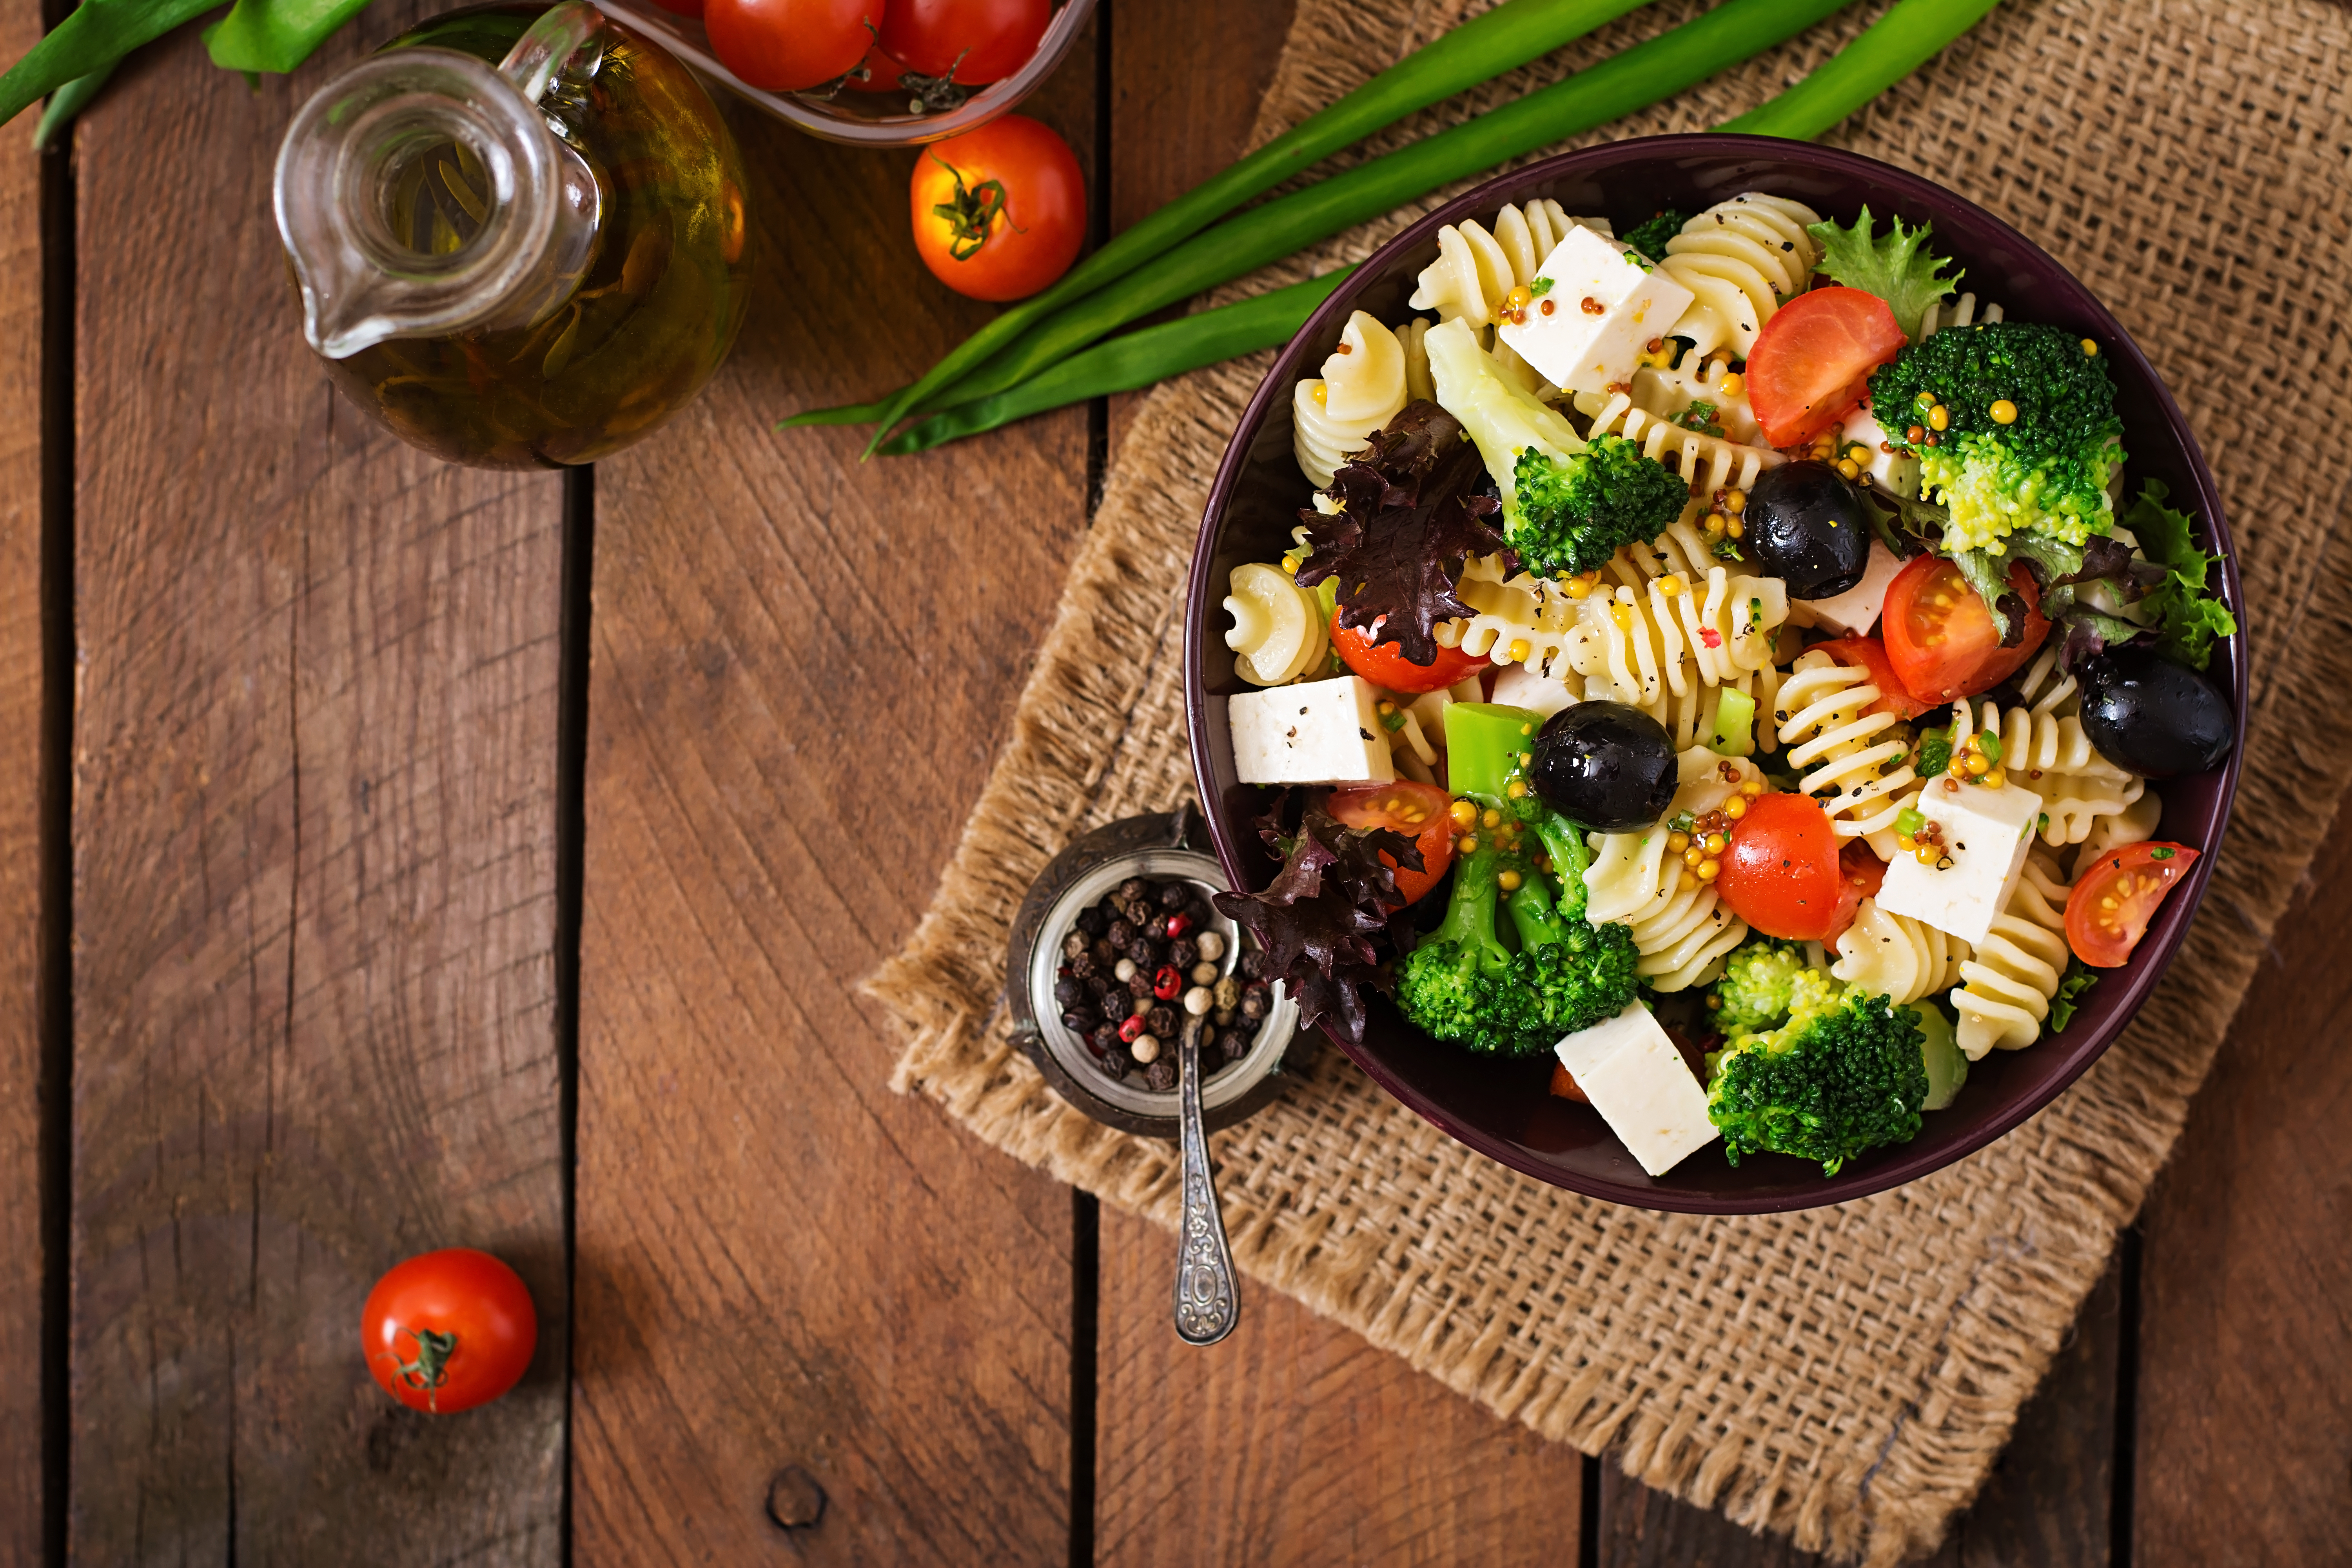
[(2047, 1503)]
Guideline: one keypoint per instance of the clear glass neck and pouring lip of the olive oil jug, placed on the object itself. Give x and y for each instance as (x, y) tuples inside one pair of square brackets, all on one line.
[(422, 194)]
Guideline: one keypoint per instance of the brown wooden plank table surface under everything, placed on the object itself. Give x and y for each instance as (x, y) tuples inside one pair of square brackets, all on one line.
[(401, 857)]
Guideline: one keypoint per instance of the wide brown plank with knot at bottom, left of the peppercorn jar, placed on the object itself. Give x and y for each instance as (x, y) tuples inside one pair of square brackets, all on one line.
[(806, 1296)]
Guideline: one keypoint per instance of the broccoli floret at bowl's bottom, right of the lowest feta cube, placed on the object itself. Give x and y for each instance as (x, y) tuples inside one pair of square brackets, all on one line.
[(1843, 1076)]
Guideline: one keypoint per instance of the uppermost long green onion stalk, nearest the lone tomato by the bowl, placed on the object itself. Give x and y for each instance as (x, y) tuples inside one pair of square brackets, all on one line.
[(1483, 48)]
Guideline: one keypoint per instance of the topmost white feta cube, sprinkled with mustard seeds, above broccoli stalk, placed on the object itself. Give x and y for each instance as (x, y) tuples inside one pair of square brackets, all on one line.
[(1605, 309)]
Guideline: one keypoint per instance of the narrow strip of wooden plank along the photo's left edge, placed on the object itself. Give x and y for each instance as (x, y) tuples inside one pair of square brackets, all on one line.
[(22, 939)]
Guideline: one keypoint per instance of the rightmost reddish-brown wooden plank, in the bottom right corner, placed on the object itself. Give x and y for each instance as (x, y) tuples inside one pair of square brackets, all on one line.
[(2245, 1409)]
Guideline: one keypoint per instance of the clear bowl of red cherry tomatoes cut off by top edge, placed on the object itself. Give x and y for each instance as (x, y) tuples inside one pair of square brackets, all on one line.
[(829, 69)]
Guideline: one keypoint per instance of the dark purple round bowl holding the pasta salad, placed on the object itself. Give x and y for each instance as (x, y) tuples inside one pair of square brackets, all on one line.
[(1502, 1108)]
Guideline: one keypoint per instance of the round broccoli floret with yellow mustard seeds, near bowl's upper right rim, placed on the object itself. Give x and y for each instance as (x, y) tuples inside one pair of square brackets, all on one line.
[(2047, 469)]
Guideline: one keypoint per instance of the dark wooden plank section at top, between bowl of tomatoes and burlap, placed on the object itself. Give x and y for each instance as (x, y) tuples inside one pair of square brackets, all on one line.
[(1184, 91)]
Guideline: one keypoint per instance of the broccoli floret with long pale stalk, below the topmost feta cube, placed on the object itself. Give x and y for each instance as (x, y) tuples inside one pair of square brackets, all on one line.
[(1565, 507)]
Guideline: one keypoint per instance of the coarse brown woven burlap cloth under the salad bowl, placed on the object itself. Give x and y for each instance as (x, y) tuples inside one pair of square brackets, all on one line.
[(1845, 1374)]
